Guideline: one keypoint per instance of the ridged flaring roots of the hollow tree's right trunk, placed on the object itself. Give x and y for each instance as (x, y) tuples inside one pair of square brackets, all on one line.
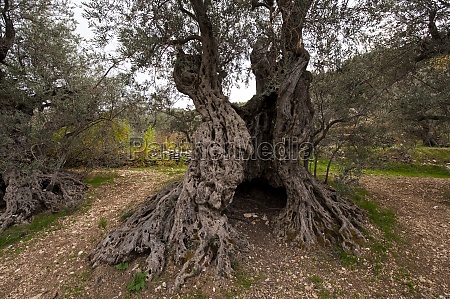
[(316, 215)]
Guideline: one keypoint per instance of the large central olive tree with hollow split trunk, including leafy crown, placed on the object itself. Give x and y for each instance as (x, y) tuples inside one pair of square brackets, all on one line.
[(204, 41)]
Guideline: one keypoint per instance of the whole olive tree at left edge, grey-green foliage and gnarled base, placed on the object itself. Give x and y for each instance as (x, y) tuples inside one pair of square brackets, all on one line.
[(50, 95)]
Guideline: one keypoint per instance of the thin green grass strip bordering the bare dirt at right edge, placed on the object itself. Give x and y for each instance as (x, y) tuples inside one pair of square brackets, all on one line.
[(410, 170)]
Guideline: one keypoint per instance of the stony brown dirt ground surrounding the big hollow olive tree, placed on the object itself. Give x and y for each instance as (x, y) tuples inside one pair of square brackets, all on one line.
[(54, 263)]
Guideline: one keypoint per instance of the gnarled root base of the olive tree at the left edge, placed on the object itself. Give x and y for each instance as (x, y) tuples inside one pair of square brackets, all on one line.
[(26, 195)]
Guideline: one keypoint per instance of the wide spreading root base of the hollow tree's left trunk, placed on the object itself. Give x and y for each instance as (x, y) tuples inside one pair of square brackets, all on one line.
[(171, 226)]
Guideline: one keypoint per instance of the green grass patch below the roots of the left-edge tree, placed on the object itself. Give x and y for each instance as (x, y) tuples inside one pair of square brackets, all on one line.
[(39, 222)]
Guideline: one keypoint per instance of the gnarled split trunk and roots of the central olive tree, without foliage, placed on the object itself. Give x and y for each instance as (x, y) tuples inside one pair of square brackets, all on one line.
[(187, 221)]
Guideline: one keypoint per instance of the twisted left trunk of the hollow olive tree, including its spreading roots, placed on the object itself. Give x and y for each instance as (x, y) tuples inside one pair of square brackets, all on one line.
[(188, 220)]
